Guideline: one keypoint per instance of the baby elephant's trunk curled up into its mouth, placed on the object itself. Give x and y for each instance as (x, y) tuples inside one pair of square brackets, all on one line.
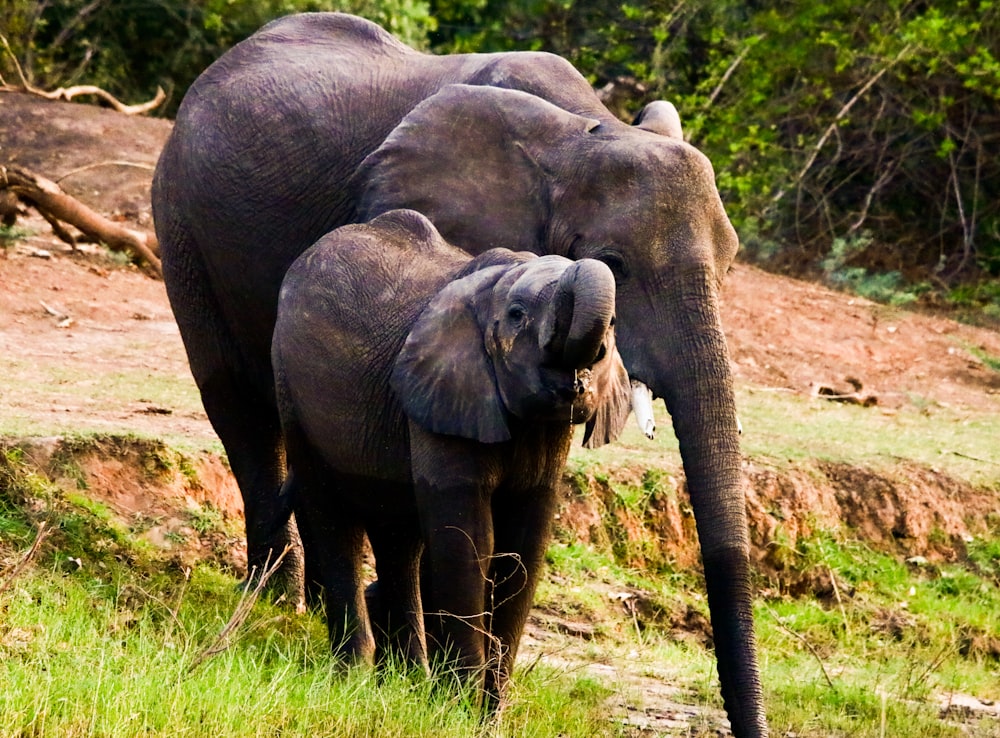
[(584, 306)]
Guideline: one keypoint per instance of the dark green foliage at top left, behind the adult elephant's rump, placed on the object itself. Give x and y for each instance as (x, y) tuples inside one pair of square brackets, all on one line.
[(130, 48)]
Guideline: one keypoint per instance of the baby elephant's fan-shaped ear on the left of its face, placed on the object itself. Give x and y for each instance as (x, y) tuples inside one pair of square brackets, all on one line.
[(443, 376)]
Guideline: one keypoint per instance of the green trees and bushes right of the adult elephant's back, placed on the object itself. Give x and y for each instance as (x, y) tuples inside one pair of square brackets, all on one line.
[(868, 127)]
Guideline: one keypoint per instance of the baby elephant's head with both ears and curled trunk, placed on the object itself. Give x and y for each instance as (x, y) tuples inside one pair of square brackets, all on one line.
[(516, 338)]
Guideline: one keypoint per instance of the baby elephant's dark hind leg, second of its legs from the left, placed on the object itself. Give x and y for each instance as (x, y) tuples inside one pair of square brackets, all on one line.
[(398, 621)]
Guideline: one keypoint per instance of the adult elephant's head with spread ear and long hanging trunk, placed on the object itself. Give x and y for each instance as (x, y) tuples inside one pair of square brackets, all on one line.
[(491, 166)]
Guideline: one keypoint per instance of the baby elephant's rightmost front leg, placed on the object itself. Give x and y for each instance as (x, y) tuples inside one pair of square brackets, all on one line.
[(522, 532)]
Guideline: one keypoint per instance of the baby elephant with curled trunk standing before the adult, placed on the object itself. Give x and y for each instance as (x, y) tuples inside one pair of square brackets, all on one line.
[(428, 398)]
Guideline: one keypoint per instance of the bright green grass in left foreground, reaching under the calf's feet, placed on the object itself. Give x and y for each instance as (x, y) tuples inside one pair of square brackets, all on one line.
[(99, 636)]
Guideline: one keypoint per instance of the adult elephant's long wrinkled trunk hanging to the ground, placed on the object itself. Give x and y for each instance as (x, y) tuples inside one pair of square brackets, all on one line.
[(698, 389)]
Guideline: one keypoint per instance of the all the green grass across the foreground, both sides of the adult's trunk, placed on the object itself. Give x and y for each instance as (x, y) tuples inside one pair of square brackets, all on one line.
[(98, 638)]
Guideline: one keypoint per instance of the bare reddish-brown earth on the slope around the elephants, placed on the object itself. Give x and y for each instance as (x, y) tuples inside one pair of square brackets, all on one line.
[(86, 344)]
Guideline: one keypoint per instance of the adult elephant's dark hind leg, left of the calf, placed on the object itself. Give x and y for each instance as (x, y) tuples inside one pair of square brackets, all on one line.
[(241, 411)]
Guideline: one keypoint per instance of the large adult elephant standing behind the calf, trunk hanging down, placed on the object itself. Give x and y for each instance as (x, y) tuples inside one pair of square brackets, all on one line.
[(320, 120)]
